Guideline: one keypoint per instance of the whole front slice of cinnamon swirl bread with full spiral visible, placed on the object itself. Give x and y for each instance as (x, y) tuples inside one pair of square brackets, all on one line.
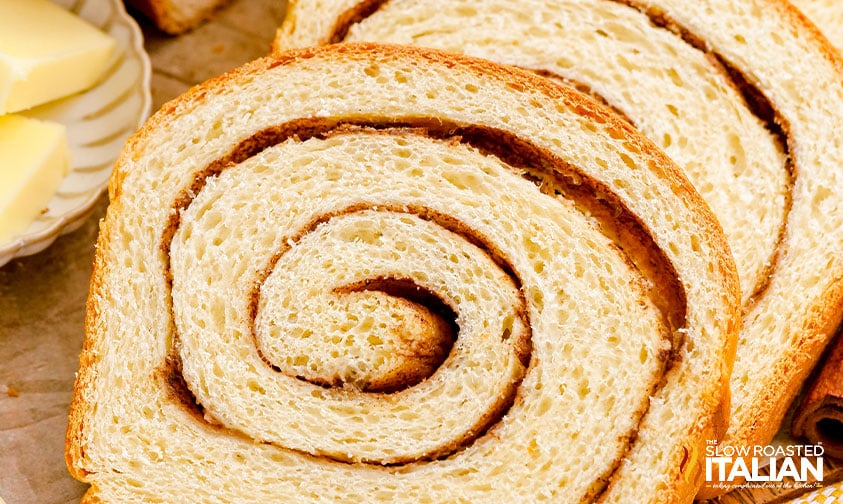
[(364, 273)]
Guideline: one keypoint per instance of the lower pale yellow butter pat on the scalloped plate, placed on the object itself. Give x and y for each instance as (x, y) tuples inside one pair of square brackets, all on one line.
[(33, 160)]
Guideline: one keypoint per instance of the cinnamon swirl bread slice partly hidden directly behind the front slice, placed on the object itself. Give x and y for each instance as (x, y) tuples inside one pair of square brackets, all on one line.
[(743, 95)]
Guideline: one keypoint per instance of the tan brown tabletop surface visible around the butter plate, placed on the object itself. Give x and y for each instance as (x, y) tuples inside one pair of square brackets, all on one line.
[(42, 297)]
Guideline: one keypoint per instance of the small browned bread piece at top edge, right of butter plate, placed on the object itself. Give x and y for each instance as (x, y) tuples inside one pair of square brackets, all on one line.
[(178, 16)]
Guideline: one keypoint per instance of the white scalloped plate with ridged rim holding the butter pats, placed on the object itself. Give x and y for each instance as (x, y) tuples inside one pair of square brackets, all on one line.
[(98, 122)]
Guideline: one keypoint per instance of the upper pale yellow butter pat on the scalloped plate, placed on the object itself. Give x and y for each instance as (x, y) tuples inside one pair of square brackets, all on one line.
[(46, 53)]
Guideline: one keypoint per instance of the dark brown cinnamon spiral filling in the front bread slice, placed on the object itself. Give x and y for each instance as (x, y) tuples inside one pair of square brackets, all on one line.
[(552, 176)]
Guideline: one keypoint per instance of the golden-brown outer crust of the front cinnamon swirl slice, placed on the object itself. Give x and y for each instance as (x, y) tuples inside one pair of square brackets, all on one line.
[(715, 396)]
